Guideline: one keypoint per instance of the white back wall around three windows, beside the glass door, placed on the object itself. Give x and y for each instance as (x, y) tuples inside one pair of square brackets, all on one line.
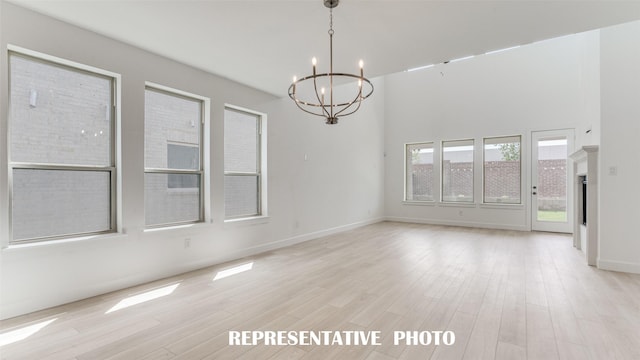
[(547, 85)]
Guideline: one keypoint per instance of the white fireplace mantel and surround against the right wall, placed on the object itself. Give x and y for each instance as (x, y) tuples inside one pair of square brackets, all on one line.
[(585, 163)]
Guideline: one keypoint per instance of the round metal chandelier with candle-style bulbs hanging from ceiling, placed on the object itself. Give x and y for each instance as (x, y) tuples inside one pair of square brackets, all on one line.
[(309, 92)]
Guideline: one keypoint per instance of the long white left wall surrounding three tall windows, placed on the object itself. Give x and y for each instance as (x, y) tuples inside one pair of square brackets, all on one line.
[(306, 198)]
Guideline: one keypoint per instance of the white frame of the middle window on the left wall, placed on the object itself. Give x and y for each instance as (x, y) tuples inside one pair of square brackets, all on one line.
[(201, 171)]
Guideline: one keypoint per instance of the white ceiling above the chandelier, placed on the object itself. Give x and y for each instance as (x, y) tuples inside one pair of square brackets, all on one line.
[(263, 43)]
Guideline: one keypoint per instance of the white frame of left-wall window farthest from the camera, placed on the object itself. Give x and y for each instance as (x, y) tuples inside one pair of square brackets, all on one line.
[(261, 168)]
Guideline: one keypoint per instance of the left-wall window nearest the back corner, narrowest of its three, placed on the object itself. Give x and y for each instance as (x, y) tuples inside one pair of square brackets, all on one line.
[(243, 159)]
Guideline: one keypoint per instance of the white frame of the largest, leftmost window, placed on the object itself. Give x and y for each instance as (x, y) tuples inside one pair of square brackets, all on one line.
[(114, 194)]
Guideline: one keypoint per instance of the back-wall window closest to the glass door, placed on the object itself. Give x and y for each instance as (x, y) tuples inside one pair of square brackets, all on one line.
[(502, 170)]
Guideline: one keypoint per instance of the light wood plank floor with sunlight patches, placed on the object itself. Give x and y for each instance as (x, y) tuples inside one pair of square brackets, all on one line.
[(505, 294)]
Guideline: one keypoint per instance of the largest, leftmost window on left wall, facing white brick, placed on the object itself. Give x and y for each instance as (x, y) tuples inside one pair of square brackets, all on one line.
[(62, 153)]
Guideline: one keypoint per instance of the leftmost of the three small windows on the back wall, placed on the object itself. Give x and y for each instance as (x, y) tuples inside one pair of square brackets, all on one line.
[(419, 177)]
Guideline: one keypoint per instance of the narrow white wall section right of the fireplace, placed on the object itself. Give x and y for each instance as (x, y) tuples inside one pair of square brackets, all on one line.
[(620, 194)]
